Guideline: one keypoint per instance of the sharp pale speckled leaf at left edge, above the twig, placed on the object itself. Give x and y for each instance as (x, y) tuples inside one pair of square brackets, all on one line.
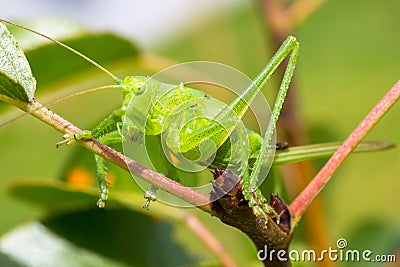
[(16, 80)]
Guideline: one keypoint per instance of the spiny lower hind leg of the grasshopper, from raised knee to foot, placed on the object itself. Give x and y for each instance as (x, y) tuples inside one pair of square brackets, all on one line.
[(252, 194)]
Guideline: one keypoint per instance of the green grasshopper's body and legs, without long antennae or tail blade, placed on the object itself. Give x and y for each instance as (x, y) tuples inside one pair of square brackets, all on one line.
[(172, 97)]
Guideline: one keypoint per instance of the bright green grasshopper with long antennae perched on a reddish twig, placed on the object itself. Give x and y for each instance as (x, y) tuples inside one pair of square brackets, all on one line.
[(191, 135)]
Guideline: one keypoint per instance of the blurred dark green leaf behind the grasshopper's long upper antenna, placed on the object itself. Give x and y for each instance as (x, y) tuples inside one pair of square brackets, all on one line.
[(52, 63)]
